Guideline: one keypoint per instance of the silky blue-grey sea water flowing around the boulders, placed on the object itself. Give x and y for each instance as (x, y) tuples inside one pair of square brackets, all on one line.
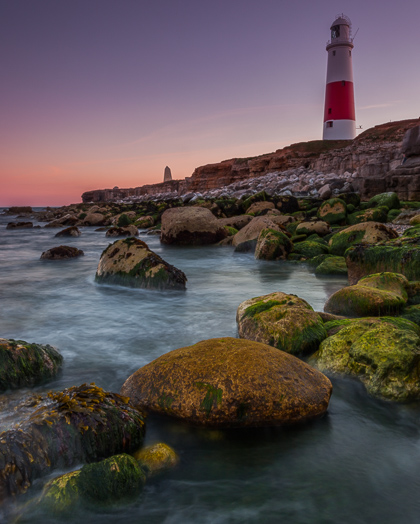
[(359, 464)]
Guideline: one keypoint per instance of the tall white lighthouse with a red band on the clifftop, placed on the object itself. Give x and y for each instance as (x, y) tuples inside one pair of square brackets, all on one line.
[(339, 113)]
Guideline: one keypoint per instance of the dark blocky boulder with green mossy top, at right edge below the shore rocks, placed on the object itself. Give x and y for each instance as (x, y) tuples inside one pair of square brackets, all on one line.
[(399, 255)]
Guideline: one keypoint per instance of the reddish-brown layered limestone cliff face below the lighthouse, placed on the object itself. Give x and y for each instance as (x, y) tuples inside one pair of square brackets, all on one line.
[(373, 153)]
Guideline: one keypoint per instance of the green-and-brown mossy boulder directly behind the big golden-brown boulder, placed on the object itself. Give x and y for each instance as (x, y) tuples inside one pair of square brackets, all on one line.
[(286, 322)]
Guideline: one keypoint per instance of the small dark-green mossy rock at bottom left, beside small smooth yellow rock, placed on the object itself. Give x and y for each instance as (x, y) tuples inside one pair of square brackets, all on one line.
[(116, 479)]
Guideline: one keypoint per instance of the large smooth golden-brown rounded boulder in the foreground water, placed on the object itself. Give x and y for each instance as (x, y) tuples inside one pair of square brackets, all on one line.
[(227, 382)]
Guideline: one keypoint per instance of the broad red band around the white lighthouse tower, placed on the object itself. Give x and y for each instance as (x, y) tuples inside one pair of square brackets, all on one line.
[(339, 101)]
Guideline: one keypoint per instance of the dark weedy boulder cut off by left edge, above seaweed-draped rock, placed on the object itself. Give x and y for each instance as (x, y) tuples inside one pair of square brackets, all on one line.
[(23, 364)]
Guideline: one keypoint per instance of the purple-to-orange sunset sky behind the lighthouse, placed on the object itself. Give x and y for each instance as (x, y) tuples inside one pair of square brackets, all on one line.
[(102, 93)]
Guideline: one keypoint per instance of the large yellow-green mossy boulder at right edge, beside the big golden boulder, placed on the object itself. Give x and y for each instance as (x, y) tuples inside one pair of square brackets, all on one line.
[(384, 356)]
